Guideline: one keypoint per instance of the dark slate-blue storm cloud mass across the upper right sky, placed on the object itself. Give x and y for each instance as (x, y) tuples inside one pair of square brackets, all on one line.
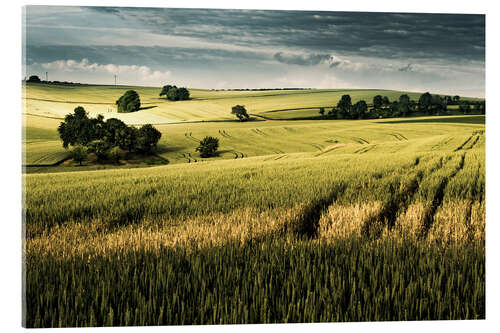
[(386, 35)]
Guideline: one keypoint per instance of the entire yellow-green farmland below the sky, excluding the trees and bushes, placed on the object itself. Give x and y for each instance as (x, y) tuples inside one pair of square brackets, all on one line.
[(294, 221)]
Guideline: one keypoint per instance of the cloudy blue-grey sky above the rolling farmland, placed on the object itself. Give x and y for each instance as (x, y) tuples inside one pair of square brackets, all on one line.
[(221, 49)]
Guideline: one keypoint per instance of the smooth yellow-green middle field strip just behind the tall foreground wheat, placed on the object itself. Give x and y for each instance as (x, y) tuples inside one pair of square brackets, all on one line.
[(283, 139)]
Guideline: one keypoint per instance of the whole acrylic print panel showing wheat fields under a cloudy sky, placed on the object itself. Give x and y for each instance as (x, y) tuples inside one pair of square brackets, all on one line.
[(202, 166)]
